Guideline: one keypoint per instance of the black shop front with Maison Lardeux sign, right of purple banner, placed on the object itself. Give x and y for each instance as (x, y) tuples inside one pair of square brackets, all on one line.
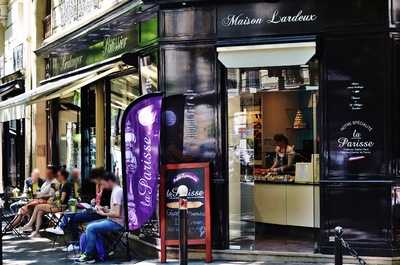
[(296, 106)]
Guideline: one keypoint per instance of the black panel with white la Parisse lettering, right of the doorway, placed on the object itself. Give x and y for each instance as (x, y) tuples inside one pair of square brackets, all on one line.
[(356, 109)]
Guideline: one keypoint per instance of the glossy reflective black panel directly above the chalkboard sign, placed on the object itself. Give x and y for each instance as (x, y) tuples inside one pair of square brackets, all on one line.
[(191, 99)]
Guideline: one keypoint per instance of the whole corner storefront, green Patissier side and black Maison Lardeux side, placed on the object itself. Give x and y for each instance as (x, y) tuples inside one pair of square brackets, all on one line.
[(235, 74)]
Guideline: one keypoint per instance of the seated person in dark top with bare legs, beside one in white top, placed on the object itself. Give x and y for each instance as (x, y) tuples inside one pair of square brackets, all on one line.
[(55, 206)]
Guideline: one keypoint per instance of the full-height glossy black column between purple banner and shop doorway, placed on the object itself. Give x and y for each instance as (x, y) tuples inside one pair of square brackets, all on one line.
[(189, 80)]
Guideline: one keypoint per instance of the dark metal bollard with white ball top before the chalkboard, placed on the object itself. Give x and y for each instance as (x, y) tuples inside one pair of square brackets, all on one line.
[(183, 240)]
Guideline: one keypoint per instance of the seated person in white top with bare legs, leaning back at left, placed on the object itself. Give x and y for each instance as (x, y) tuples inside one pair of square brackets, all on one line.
[(46, 192)]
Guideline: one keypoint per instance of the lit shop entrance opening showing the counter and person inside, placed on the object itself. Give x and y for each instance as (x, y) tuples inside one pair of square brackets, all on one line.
[(273, 150)]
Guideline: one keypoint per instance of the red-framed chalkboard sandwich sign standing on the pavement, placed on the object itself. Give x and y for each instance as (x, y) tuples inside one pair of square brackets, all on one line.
[(196, 177)]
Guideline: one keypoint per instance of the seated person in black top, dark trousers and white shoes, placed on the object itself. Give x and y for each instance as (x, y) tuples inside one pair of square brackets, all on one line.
[(72, 221)]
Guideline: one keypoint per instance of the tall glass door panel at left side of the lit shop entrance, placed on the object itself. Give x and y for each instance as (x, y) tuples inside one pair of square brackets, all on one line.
[(244, 125)]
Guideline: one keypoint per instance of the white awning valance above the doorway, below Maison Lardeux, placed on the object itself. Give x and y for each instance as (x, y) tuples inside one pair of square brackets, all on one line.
[(271, 55)]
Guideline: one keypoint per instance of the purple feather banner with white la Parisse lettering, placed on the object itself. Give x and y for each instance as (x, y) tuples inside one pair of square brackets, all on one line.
[(141, 139)]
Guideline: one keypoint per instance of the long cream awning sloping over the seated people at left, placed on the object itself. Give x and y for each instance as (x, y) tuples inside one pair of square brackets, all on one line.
[(55, 89)]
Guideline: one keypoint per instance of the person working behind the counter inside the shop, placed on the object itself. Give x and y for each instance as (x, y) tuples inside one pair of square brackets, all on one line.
[(284, 158)]
